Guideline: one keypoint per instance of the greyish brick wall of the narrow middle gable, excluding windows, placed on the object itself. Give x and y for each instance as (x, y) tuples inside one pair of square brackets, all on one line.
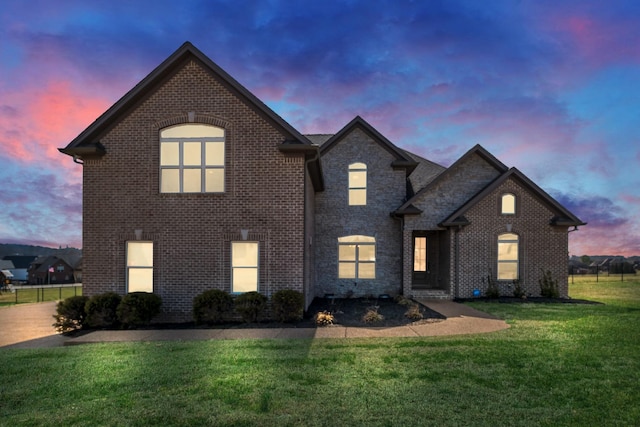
[(386, 189)]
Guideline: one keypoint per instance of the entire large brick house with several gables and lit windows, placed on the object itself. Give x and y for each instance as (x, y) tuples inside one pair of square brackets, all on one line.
[(192, 183)]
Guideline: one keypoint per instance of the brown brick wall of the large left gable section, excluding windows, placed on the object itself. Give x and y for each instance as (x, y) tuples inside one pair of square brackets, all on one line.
[(265, 192)]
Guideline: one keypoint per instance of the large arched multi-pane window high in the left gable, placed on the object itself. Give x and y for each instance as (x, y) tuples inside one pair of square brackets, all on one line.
[(192, 159)]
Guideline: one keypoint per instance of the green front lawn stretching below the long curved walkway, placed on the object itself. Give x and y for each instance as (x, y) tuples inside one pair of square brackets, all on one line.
[(558, 365)]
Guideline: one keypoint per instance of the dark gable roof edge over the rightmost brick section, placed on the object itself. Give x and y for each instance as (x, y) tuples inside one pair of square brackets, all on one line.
[(563, 216)]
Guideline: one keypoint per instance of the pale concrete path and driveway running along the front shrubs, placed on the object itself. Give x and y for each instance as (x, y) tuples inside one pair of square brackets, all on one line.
[(29, 326)]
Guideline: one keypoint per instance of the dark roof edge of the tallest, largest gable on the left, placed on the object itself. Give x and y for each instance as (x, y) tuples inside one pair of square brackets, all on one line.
[(87, 144)]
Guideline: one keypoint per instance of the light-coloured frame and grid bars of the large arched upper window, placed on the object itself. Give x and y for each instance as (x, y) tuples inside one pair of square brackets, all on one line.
[(203, 167)]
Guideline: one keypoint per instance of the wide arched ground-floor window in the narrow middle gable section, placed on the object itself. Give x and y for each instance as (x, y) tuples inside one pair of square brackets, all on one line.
[(356, 257)]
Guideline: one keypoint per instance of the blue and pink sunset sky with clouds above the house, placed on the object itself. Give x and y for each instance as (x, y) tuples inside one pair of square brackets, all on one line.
[(550, 87)]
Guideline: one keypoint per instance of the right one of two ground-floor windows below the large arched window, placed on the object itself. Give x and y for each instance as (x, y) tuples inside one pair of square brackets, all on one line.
[(244, 266)]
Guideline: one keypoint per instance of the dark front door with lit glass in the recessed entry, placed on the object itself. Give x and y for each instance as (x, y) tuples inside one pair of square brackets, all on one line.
[(425, 260)]
